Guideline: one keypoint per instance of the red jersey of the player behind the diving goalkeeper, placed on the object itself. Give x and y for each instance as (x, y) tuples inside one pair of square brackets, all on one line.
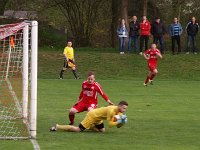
[(89, 92)]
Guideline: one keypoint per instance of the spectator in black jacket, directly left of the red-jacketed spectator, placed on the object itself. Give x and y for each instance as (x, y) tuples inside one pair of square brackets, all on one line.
[(133, 34)]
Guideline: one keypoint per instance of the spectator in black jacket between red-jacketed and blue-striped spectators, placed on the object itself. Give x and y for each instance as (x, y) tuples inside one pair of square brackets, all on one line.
[(158, 30)]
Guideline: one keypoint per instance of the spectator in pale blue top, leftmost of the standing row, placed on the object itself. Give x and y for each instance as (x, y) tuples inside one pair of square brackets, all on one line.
[(122, 32)]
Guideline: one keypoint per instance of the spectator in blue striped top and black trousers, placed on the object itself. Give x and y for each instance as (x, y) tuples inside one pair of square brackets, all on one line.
[(175, 31)]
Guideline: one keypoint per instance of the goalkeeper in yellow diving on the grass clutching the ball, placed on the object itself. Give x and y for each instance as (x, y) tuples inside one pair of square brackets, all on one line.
[(94, 119)]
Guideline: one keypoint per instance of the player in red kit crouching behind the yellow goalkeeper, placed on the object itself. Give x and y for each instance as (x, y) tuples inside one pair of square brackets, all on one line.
[(88, 97)]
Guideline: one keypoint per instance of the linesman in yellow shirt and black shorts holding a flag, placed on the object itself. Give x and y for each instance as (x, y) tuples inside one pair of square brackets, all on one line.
[(69, 61)]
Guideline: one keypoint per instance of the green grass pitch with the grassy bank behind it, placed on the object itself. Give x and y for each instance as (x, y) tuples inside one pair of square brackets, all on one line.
[(164, 116)]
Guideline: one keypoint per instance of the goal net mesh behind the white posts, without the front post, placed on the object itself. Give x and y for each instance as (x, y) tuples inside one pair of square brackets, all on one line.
[(12, 123)]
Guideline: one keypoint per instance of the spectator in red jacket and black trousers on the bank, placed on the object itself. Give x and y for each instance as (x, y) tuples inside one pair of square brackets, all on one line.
[(145, 28)]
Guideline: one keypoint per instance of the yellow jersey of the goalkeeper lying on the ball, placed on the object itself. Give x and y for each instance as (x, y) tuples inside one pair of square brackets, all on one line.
[(104, 113)]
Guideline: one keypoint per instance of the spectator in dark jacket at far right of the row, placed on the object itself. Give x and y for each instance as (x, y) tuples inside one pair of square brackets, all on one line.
[(192, 29)]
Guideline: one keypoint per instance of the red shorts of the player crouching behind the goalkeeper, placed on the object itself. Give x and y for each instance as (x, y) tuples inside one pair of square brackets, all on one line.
[(83, 106)]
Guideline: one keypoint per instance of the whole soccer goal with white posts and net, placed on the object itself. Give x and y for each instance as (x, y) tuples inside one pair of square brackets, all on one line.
[(18, 80)]
